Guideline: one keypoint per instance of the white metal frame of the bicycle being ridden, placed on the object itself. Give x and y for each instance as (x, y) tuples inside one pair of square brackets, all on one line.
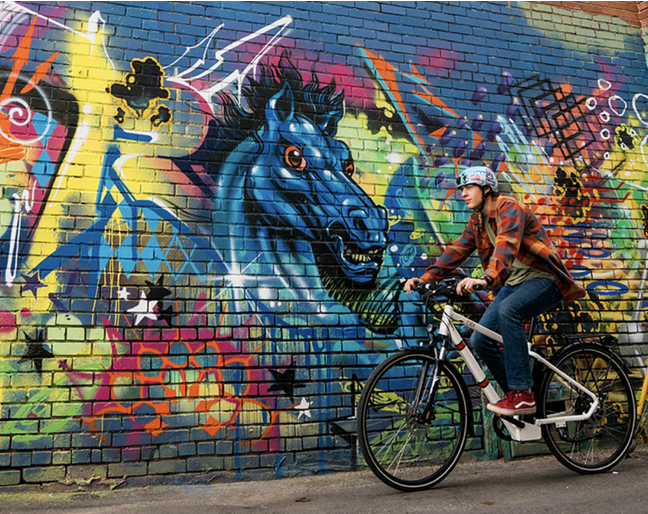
[(531, 431)]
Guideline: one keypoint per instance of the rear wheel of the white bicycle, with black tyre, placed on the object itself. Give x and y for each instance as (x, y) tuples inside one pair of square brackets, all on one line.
[(598, 444)]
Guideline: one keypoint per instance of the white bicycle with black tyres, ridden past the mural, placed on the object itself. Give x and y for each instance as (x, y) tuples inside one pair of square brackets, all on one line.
[(415, 412)]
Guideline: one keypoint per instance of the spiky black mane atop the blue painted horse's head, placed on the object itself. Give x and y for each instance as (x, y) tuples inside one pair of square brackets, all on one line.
[(311, 100)]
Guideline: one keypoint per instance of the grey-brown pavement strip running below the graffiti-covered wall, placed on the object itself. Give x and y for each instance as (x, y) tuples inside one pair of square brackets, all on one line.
[(532, 485)]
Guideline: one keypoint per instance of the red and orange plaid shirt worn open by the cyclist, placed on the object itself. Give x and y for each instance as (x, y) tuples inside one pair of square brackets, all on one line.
[(519, 235)]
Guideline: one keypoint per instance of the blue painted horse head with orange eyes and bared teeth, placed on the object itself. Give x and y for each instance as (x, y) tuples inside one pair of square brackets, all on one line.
[(288, 214)]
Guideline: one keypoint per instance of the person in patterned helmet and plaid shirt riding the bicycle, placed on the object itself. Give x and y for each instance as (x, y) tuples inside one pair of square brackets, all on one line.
[(516, 253)]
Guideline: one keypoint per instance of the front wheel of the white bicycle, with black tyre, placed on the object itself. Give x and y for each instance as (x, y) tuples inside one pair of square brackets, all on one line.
[(406, 446)]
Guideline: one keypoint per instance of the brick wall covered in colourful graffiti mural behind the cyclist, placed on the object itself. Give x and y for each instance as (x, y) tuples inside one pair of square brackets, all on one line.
[(206, 209)]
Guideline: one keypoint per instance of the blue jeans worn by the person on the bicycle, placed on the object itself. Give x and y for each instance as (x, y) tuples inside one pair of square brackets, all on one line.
[(511, 307)]
